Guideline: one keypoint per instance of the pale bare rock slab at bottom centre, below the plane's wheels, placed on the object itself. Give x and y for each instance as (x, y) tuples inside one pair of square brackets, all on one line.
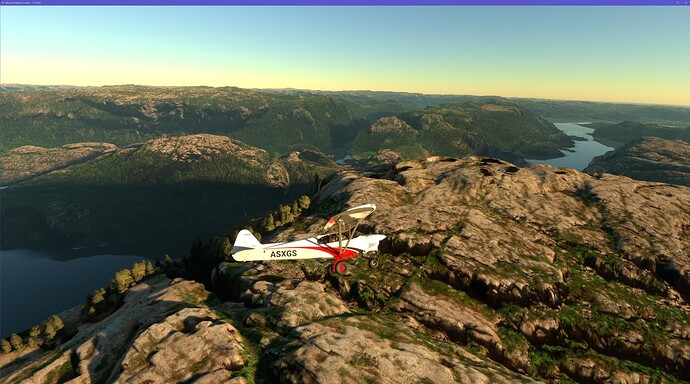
[(364, 349)]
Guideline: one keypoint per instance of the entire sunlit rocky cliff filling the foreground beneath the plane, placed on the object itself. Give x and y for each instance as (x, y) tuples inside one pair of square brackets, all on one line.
[(490, 273)]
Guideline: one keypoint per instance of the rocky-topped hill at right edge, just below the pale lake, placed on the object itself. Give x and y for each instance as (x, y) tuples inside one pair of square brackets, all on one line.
[(648, 158)]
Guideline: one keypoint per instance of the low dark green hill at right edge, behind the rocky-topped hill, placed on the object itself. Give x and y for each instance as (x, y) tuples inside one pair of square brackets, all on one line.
[(626, 131)]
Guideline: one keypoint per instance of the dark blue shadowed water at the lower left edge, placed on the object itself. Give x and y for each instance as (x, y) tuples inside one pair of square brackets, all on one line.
[(37, 284)]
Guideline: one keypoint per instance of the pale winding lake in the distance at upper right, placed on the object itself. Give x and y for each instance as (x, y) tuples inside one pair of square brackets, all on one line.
[(580, 155)]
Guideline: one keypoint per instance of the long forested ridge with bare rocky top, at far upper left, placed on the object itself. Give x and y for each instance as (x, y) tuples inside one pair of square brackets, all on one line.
[(125, 115)]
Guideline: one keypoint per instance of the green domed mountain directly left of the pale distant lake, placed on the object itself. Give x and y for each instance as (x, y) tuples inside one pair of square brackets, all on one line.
[(496, 127)]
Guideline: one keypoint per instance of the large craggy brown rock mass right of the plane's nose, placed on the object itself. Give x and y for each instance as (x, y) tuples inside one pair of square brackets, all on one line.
[(559, 257)]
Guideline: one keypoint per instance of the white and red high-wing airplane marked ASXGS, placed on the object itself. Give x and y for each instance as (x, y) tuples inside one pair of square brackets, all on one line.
[(338, 242)]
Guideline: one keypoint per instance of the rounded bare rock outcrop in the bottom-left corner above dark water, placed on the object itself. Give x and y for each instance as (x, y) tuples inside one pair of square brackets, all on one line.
[(162, 333)]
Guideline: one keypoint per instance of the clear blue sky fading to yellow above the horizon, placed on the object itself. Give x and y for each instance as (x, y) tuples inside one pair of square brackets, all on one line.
[(631, 54)]
